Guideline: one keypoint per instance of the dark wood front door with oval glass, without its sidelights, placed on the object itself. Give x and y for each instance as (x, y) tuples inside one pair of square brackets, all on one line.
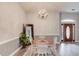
[(68, 32)]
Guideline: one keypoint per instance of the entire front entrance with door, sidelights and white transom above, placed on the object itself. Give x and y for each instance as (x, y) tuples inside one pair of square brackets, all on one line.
[(68, 30)]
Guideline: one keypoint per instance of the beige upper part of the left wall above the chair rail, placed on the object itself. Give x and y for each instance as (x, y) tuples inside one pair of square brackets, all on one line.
[(11, 20)]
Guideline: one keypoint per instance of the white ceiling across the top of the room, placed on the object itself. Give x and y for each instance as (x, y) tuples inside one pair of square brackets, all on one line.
[(50, 6)]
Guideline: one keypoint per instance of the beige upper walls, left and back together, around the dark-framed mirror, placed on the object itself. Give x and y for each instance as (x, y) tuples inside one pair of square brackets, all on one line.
[(12, 17)]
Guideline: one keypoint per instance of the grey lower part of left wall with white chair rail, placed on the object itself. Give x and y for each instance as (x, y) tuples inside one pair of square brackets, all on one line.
[(8, 46)]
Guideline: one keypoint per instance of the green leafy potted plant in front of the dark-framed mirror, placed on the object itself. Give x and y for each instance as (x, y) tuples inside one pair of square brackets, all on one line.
[(24, 39)]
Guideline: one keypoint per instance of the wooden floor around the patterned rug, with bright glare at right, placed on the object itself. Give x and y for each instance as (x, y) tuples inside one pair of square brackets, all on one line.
[(63, 49)]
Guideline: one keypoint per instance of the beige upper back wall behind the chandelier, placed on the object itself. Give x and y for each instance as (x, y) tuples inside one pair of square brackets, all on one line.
[(48, 26)]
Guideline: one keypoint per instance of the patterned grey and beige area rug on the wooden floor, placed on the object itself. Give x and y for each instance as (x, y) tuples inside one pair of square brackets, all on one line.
[(40, 50)]
